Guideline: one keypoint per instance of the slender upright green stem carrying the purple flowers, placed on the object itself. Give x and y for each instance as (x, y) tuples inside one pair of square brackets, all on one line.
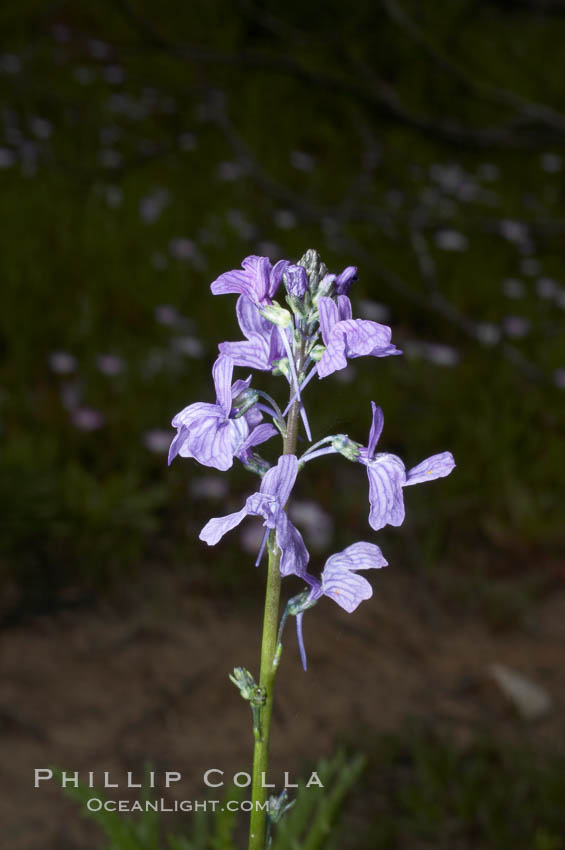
[(258, 821)]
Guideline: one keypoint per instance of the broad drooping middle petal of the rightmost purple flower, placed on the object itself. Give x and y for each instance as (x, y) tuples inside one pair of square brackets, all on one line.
[(386, 479)]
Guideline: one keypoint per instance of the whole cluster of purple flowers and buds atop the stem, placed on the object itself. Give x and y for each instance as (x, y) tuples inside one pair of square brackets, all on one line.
[(309, 331)]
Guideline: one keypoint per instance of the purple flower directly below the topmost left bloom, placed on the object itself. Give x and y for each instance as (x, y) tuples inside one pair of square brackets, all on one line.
[(263, 344)]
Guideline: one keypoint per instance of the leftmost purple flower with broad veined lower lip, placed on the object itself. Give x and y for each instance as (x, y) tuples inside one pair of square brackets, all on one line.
[(213, 433)]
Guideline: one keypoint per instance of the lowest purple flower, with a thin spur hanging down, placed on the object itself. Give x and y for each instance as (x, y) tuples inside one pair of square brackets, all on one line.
[(339, 581)]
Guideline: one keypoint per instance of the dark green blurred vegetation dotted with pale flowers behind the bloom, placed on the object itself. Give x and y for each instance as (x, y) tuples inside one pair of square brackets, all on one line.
[(422, 144)]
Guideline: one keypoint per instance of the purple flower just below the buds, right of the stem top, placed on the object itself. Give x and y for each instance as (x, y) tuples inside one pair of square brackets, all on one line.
[(345, 337)]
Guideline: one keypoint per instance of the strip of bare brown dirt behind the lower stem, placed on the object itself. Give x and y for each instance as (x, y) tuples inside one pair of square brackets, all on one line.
[(102, 691)]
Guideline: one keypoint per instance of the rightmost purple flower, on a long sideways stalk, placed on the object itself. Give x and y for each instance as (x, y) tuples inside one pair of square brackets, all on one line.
[(387, 476)]
